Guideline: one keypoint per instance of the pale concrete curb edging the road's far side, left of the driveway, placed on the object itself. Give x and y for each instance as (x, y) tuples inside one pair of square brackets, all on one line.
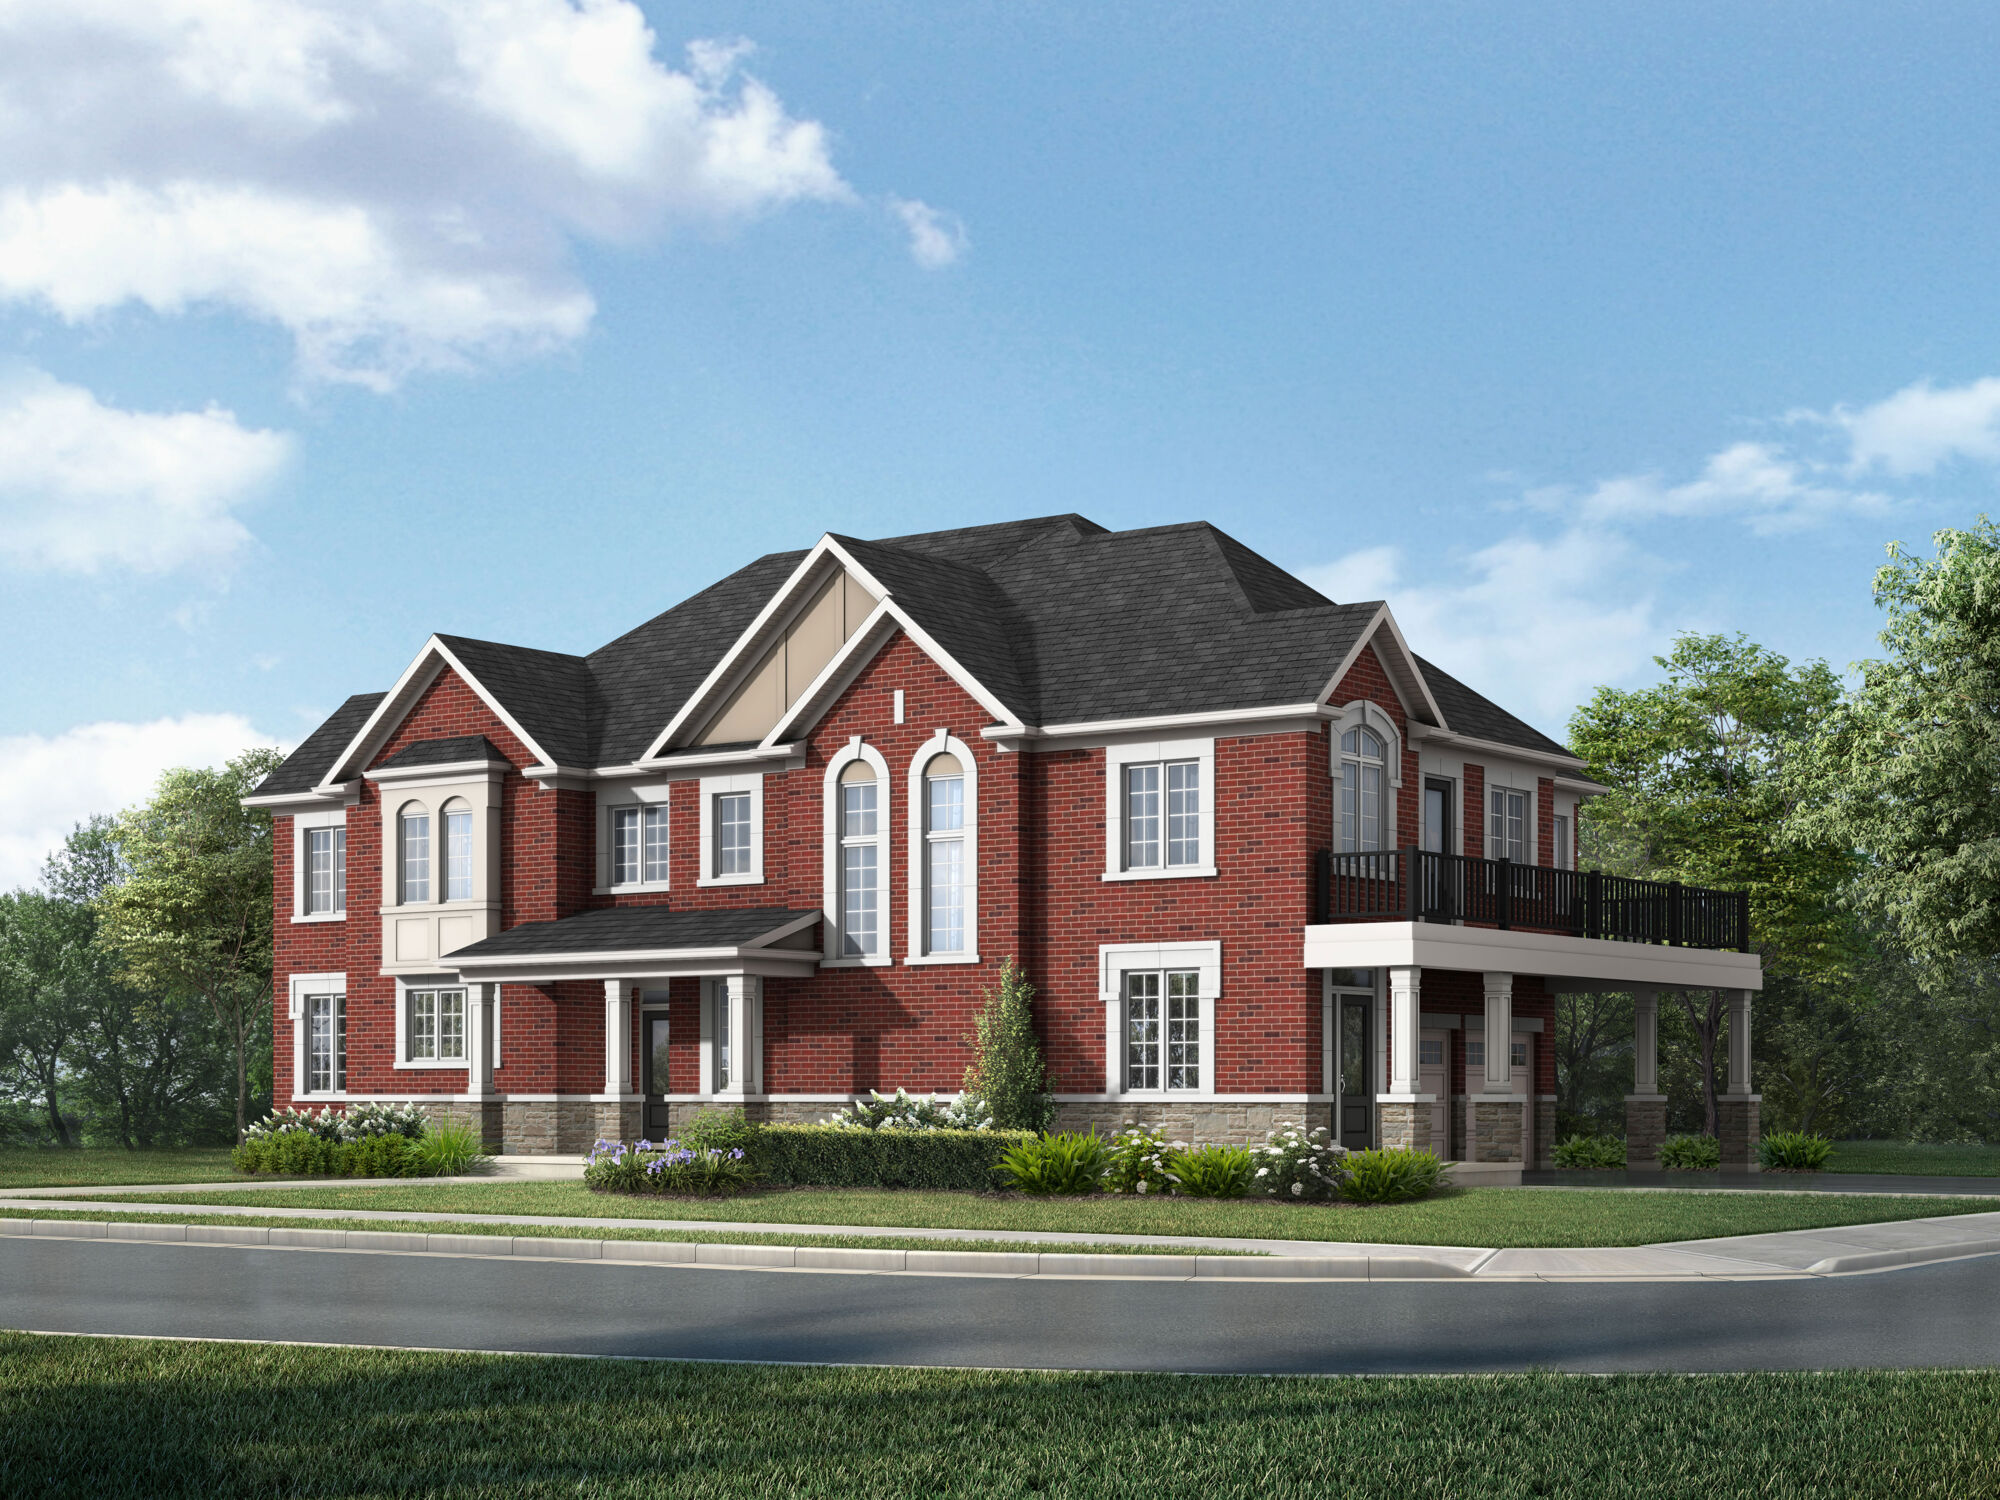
[(759, 1257)]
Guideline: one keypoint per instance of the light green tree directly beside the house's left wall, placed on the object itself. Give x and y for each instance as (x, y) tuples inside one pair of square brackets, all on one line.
[(193, 919)]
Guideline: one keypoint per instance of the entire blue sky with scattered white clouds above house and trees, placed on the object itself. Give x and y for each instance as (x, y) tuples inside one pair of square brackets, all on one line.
[(1561, 329)]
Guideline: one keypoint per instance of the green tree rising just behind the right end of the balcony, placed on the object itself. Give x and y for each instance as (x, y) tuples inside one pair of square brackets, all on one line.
[(1701, 789)]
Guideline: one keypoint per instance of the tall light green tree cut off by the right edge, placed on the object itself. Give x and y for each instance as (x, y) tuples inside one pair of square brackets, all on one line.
[(1907, 769)]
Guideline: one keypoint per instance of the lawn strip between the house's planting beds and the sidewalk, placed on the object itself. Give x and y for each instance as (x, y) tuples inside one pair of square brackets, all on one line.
[(1471, 1217)]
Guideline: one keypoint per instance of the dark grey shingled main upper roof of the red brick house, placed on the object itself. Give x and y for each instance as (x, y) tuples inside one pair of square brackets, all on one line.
[(1057, 617)]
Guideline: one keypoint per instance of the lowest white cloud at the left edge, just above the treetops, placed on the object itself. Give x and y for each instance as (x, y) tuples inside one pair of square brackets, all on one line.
[(53, 783)]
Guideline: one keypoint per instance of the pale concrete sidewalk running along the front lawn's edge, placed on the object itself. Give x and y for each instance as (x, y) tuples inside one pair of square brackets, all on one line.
[(1751, 1257)]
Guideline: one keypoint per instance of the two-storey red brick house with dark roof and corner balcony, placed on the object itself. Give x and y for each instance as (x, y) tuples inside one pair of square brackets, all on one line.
[(1261, 861)]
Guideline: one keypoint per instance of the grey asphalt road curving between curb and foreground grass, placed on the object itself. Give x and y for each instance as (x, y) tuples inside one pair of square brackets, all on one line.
[(1925, 1317)]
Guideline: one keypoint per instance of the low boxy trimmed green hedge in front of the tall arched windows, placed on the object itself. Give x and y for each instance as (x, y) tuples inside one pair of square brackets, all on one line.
[(835, 1157)]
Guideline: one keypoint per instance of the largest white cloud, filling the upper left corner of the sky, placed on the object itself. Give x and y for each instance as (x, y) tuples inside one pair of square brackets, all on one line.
[(395, 183)]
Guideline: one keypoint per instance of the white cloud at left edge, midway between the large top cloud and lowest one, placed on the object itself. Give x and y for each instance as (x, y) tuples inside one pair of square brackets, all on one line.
[(89, 487)]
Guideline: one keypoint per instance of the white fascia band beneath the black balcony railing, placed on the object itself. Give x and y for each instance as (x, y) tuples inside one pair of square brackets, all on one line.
[(1567, 963)]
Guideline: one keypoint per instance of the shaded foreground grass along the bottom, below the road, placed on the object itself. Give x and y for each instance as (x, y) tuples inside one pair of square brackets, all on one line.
[(107, 1419)]
